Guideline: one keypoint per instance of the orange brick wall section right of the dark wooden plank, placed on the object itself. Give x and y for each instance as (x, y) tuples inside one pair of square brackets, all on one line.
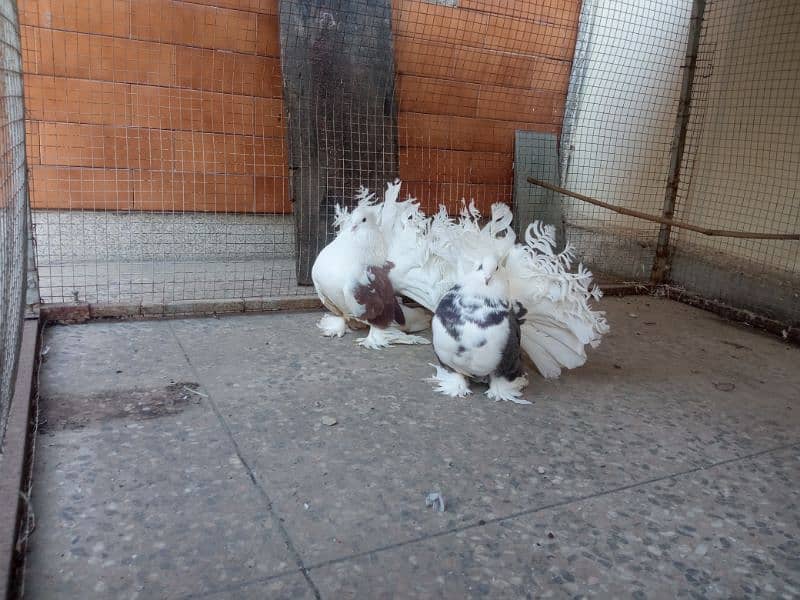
[(468, 76)]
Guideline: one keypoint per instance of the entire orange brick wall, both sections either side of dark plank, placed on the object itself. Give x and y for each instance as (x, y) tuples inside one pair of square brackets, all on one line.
[(174, 105)]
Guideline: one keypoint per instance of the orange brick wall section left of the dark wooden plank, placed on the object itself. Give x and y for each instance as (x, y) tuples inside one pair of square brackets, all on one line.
[(154, 105)]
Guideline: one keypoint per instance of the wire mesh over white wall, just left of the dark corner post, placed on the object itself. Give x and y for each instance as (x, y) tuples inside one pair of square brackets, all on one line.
[(618, 129)]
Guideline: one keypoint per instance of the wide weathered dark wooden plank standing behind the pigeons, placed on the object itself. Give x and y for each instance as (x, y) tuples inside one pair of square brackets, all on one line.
[(337, 58)]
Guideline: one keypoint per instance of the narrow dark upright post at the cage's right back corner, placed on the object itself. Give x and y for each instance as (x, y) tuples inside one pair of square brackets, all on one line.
[(661, 263)]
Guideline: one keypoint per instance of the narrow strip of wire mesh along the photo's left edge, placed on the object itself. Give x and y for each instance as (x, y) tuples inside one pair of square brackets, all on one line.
[(13, 206)]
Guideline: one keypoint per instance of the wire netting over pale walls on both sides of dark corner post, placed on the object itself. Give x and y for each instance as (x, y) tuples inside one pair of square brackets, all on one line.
[(736, 170)]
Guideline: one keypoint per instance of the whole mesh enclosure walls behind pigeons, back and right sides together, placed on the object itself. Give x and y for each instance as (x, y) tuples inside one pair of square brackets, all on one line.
[(186, 156)]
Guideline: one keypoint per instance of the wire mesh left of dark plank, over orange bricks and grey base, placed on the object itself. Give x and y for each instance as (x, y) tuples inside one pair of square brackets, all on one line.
[(157, 152)]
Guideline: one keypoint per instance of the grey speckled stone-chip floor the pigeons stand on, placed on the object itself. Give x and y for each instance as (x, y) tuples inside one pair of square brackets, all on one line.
[(188, 459)]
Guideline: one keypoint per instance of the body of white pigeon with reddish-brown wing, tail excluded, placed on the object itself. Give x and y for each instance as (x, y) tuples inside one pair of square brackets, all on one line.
[(352, 278)]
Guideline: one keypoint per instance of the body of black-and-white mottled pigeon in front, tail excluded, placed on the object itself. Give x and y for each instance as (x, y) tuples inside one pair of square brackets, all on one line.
[(476, 335)]
